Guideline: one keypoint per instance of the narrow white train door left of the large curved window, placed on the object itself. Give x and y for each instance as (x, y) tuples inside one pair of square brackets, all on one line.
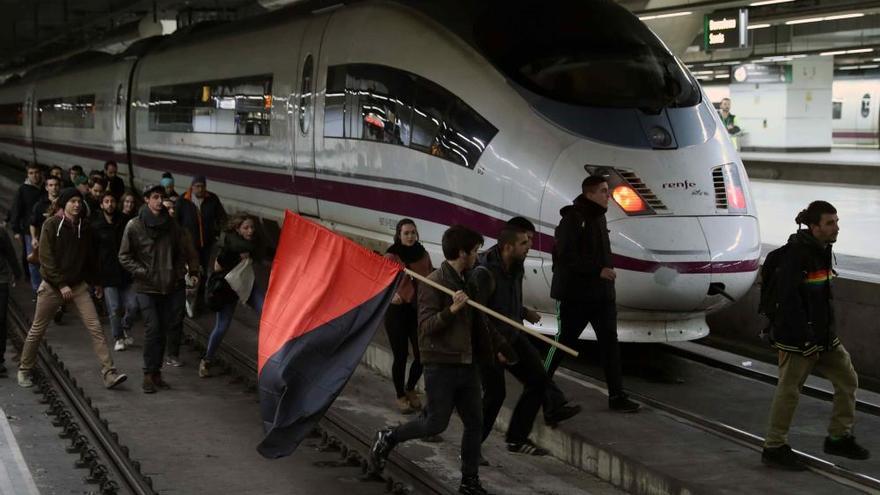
[(302, 127)]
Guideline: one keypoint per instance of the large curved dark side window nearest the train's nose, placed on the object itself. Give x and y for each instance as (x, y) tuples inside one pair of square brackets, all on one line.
[(378, 103)]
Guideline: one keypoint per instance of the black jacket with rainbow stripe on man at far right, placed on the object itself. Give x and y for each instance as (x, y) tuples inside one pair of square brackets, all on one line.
[(804, 321)]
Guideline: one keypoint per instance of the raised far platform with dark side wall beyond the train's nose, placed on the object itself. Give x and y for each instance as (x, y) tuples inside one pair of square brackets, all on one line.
[(840, 165)]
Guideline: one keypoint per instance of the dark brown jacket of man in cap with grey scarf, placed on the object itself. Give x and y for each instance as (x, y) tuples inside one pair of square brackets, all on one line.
[(157, 252)]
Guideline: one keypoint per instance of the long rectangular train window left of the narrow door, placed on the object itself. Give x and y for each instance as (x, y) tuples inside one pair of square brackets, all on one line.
[(229, 106)]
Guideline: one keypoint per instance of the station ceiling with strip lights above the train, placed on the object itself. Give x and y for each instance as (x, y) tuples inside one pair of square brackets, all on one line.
[(36, 31)]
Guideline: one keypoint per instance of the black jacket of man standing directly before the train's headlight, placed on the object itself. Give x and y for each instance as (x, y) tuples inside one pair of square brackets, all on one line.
[(582, 250)]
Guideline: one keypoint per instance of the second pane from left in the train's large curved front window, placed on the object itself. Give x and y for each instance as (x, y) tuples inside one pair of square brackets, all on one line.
[(383, 98)]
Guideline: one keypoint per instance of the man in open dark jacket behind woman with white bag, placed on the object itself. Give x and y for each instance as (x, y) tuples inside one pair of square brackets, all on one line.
[(201, 213)]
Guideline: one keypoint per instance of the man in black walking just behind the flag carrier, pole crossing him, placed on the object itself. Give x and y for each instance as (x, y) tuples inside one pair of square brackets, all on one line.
[(498, 282)]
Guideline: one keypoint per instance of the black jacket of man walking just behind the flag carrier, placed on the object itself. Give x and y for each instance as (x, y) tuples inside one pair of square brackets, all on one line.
[(500, 289)]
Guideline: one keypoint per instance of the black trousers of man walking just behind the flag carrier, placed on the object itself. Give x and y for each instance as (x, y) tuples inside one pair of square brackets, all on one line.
[(529, 370)]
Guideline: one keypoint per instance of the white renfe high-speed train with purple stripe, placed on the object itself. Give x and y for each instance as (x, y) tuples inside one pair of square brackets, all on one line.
[(357, 115)]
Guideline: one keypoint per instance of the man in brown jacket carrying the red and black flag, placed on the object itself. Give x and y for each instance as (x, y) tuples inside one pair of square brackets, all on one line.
[(454, 339)]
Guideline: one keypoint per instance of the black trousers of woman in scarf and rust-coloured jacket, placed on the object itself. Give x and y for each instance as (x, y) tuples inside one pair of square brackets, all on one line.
[(401, 325)]
